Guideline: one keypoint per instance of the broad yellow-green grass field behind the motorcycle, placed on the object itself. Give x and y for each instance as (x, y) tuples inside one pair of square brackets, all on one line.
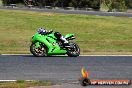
[(93, 33)]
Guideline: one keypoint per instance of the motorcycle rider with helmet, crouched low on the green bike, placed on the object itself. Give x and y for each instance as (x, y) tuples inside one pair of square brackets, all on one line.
[(57, 35)]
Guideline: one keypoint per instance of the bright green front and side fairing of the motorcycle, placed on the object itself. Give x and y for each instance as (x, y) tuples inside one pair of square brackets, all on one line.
[(50, 42)]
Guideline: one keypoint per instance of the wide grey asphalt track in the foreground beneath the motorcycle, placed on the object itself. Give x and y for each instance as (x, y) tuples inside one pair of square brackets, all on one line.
[(63, 68)]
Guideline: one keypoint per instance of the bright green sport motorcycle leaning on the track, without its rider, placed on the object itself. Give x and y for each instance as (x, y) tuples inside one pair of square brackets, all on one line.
[(48, 44)]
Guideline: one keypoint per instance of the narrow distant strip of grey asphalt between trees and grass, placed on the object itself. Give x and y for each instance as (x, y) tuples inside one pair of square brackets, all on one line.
[(117, 14)]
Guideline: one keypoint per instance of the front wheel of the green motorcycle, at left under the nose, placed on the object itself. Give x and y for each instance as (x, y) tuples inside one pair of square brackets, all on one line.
[(38, 52)]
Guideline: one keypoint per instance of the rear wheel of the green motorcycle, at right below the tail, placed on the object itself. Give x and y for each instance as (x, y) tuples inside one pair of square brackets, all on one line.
[(74, 50)]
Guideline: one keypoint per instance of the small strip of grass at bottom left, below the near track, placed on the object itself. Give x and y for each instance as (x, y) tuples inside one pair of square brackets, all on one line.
[(23, 84)]
